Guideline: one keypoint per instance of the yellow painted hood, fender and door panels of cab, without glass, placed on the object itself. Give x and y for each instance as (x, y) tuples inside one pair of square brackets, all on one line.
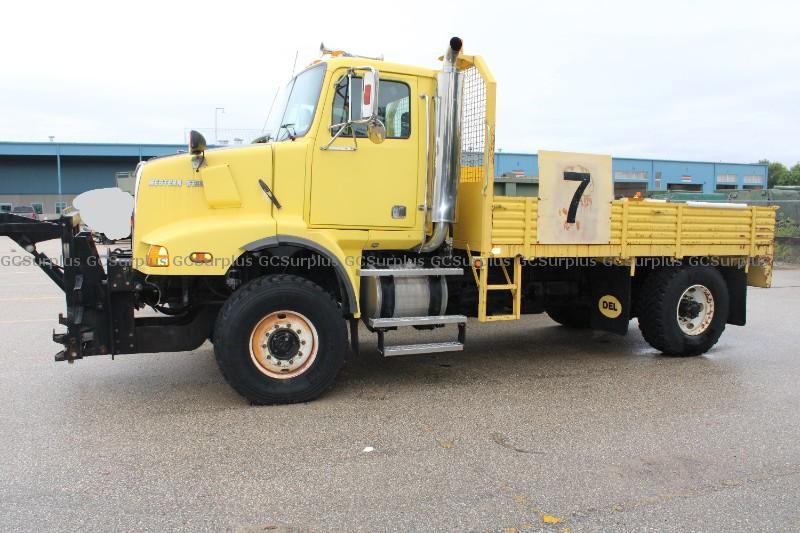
[(340, 200)]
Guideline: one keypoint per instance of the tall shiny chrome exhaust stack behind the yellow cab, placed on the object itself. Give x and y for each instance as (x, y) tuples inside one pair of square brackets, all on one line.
[(447, 155)]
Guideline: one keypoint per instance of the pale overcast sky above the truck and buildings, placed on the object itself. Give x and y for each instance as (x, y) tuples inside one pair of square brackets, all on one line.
[(709, 80)]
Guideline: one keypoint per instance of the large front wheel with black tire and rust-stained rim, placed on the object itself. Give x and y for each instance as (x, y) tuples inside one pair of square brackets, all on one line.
[(259, 327)]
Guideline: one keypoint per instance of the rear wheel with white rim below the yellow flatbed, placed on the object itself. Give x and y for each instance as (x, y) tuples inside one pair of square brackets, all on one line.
[(659, 302)]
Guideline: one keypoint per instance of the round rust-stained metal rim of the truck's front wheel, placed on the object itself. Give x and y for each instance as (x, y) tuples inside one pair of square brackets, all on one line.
[(284, 344)]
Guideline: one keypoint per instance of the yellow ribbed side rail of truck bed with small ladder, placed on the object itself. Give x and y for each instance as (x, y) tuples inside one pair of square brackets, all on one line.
[(639, 228)]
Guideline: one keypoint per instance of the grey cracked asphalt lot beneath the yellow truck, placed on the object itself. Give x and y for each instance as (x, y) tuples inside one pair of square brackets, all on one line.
[(532, 427)]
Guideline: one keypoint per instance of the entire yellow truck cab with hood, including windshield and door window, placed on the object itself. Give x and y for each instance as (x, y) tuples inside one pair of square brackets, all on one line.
[(333, 185)]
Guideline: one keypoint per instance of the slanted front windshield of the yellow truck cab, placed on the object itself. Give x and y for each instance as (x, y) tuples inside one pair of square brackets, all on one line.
[(293, 110)]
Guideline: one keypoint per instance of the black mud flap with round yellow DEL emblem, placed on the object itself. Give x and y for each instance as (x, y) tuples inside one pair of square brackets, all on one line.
[(611, 298)]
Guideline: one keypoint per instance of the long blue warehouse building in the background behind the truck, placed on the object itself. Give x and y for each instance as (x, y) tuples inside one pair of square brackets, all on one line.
[(49, 175)]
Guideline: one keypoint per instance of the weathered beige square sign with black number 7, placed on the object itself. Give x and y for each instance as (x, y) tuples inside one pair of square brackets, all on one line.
[(575, 195)]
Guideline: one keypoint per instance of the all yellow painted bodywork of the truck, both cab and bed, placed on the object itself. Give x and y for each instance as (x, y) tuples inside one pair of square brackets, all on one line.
[(342, 200)]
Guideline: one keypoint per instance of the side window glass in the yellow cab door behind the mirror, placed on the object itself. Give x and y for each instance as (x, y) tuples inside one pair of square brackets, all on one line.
[(394, 110)]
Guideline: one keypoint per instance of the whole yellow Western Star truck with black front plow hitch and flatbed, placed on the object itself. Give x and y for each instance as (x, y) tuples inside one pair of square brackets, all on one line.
[(371, 199)]
